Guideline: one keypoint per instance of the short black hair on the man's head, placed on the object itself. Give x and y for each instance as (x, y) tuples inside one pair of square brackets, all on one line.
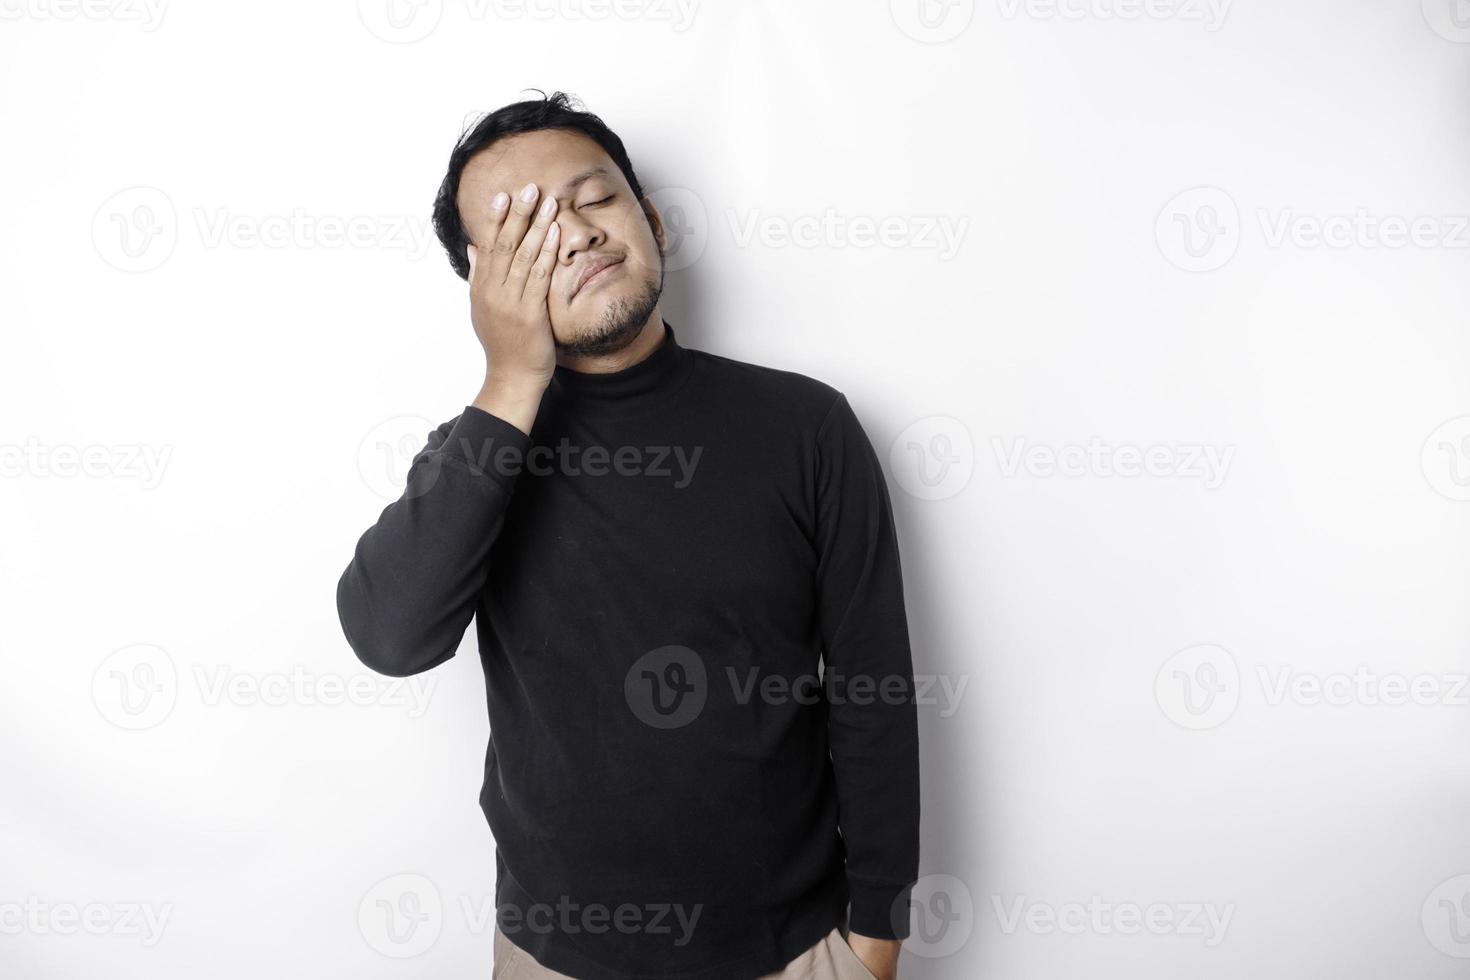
[(556, 111)]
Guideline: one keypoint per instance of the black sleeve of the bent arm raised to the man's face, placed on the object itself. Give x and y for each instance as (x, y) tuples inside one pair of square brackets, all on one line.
[(411, 590)]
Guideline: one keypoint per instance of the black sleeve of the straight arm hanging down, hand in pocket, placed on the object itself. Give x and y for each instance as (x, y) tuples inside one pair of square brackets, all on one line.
[(872, 721)]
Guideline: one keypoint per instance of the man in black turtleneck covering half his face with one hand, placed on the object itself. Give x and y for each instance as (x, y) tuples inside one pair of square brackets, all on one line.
[(658, 546)]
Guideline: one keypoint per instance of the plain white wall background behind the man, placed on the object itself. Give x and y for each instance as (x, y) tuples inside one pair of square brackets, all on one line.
[(1184, 688)]
